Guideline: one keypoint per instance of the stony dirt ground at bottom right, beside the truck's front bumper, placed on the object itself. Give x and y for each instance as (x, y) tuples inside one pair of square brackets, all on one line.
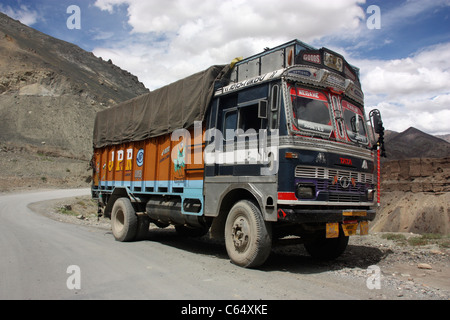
[(412, 263)]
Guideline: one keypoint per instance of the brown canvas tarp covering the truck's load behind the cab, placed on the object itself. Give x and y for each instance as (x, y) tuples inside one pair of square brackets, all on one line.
[(175, 106)]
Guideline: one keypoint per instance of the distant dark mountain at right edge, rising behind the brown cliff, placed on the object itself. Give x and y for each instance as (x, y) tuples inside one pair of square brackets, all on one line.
[(413, 143)]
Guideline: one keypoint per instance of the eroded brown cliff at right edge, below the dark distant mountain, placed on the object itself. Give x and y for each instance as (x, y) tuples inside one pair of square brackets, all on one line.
[(415, 196)]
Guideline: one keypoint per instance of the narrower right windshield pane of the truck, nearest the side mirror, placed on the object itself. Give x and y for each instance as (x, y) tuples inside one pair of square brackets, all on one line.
[(354, 123)]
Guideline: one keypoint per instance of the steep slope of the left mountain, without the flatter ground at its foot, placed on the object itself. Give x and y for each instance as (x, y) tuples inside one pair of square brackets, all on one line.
[(50, 91)]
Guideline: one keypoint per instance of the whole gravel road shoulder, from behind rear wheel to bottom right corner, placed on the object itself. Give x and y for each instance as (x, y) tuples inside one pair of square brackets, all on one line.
[(415, 266)]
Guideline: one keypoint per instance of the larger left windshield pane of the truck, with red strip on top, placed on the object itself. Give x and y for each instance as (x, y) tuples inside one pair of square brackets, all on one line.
[(311, 110)]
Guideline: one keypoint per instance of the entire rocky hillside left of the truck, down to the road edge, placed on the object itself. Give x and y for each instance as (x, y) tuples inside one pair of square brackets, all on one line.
[(50, 91)]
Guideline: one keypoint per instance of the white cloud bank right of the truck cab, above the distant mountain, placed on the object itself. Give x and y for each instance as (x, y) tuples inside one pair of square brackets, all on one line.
[(411, 92)]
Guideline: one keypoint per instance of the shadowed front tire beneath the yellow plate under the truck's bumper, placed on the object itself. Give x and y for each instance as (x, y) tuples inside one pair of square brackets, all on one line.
[(324, 249)]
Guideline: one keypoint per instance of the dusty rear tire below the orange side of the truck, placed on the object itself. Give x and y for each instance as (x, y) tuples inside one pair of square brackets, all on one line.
[(124, 221)]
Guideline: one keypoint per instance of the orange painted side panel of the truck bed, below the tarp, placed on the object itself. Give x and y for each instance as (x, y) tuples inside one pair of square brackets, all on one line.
[(156, 159)]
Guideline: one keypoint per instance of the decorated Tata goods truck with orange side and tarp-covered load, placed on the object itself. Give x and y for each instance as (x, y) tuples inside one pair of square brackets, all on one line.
[(274, 146)]
